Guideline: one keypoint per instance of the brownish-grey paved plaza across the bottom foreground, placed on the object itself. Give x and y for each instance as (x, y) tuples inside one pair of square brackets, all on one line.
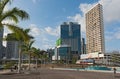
[(61, 74)]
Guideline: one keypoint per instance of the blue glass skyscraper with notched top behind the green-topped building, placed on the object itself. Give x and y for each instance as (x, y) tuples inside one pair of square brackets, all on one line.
[(71, 36)]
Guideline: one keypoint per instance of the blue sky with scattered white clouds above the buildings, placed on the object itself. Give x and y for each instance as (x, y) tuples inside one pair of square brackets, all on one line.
[(46, 16)]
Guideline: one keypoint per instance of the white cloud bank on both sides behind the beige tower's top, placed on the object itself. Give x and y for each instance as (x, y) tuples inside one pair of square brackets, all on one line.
[(111, 10)]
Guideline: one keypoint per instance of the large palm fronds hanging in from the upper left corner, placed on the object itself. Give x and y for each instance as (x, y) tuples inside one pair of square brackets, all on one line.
[(13, 14)]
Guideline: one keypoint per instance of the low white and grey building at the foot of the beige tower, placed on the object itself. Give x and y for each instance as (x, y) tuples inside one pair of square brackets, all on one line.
[(112, 59)]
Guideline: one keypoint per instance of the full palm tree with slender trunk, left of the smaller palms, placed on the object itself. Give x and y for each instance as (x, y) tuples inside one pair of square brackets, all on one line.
[(19, 37)]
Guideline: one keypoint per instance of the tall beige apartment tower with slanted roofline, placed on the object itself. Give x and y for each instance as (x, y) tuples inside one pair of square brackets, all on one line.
[(95, 30)]
